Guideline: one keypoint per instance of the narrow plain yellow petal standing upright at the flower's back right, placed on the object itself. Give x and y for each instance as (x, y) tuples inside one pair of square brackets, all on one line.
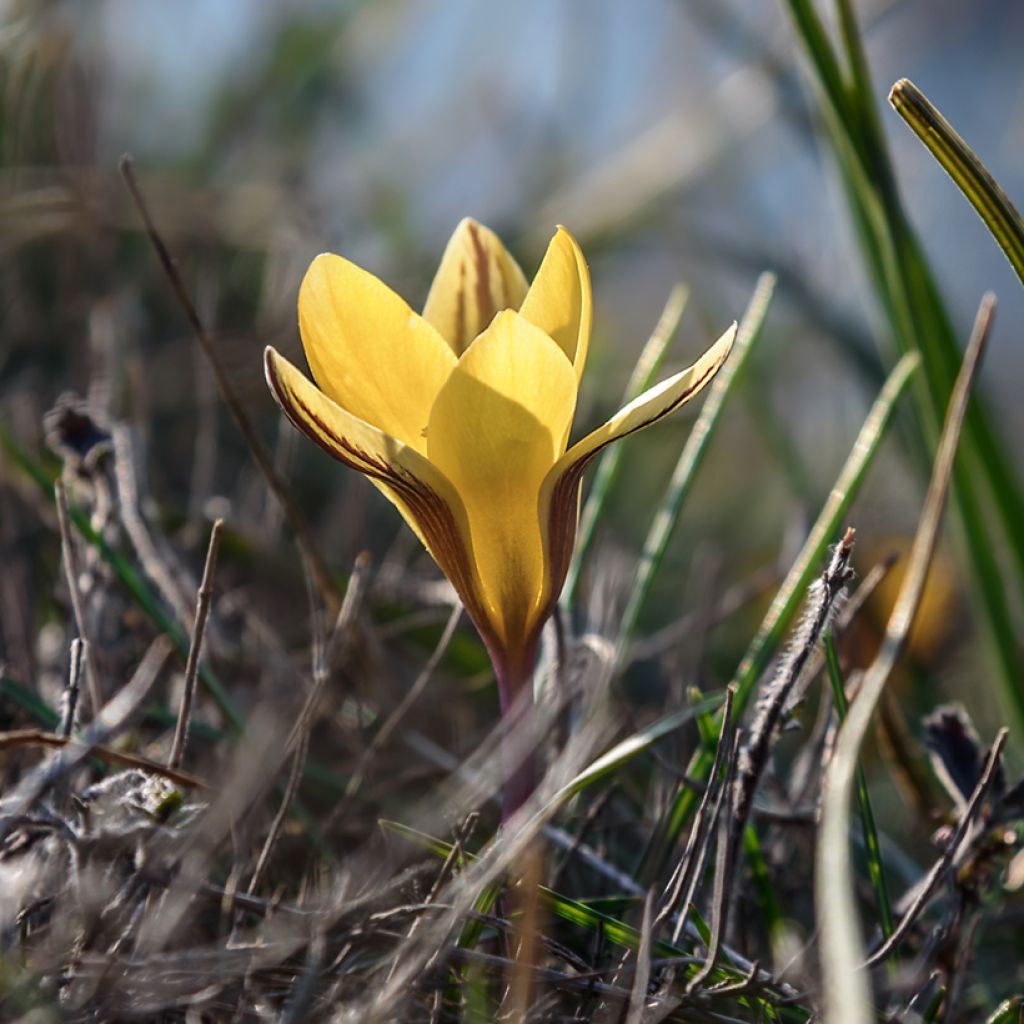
[(560, 301)]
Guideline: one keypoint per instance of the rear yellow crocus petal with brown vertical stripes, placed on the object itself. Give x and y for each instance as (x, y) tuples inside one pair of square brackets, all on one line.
[(477, 279)]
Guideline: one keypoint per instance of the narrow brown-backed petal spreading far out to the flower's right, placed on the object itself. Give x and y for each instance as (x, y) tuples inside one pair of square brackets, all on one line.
[(561, 492)]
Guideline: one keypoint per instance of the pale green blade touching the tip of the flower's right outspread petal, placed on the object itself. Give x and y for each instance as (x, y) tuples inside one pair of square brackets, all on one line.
[(693, 456)]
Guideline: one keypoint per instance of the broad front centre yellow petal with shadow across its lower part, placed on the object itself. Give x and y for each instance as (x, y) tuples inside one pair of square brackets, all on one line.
[(496, 431)]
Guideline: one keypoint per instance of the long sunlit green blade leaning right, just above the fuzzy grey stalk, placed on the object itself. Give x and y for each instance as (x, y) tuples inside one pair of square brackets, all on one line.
[(789, 600)]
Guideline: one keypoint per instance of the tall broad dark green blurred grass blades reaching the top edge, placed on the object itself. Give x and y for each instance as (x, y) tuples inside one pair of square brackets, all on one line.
[(910, 296)]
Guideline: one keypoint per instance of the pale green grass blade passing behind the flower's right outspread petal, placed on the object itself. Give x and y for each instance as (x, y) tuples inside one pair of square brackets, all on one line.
[(609, 464)]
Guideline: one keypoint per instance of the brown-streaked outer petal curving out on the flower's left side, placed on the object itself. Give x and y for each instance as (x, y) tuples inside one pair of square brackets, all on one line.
[(420, 492)]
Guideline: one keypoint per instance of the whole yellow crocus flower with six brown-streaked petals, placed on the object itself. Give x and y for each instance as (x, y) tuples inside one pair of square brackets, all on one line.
[(461, 417)]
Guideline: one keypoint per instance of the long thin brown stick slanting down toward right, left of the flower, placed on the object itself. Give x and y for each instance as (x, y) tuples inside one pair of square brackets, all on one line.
[(279, 488)]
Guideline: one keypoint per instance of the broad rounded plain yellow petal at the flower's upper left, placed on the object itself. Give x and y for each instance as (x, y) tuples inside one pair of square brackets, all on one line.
[(369, 352)]
